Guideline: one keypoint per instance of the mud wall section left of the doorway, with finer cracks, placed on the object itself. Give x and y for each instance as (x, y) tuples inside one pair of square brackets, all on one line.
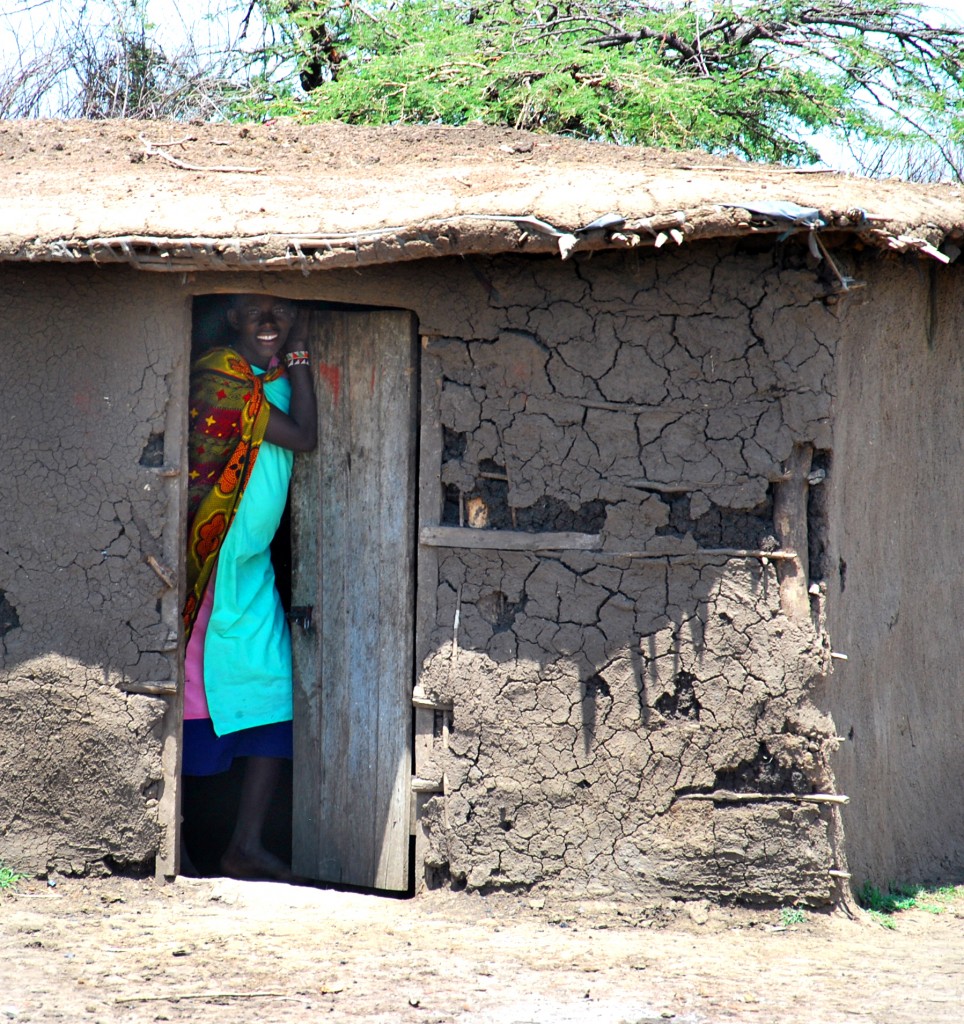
[(92, 359)]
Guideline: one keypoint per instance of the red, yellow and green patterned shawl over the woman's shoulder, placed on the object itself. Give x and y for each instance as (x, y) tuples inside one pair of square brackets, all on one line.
[(229, 415)]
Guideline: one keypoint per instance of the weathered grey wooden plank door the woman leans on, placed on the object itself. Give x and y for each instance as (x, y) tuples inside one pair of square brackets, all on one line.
[(353, 558)]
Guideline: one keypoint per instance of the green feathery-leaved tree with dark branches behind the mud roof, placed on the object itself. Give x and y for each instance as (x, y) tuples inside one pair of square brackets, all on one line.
[(756, 78)]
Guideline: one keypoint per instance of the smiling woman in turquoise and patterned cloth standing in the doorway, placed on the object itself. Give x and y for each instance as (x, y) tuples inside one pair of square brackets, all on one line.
[(253, 406)]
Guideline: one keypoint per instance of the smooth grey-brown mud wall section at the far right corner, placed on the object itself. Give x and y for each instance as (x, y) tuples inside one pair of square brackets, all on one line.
[(897, 584)]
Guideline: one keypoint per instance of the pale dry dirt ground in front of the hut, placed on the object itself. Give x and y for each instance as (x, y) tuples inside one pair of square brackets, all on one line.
[(218, 951)]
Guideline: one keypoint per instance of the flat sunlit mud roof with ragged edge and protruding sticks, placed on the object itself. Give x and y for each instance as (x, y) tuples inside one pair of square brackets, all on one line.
[(278, 196)]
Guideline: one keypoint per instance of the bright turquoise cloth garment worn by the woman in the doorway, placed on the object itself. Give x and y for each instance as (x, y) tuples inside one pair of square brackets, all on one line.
[(247, 650)]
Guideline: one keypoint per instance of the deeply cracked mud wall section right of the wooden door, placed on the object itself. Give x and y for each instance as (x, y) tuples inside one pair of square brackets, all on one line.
[(649, 406)]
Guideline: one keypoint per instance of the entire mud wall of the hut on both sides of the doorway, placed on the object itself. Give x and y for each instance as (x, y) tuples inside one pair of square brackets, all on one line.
[(636, 418)]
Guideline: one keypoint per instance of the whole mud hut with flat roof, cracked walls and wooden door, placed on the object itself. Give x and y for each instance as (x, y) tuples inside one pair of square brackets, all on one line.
[(633, 549)]
